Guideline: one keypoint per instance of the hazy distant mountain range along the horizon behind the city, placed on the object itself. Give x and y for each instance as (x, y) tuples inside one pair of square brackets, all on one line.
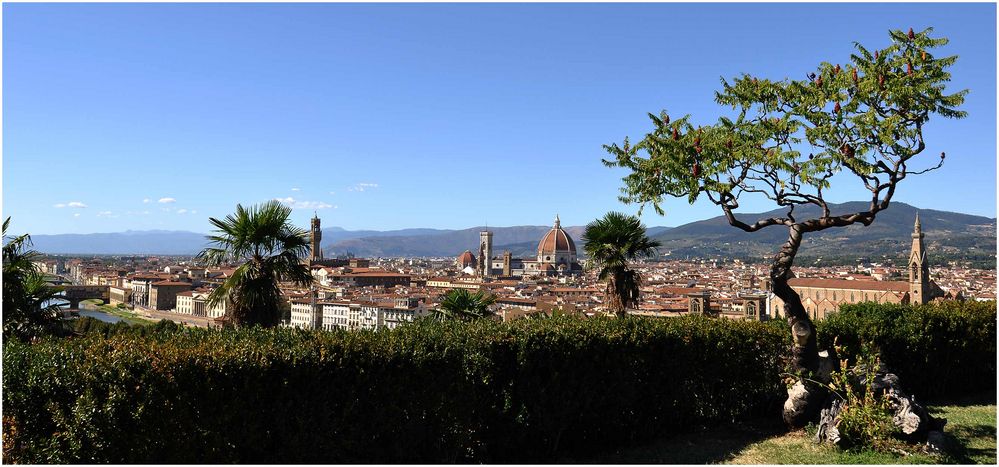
[(948, 234)]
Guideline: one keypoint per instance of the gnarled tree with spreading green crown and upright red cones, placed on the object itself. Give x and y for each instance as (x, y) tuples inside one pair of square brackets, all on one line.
[(788, 139)]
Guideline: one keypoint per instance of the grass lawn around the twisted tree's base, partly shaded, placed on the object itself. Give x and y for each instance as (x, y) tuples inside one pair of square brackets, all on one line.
[(970, 434)]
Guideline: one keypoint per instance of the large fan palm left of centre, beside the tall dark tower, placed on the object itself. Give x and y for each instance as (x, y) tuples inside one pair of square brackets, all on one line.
[(270, 249)]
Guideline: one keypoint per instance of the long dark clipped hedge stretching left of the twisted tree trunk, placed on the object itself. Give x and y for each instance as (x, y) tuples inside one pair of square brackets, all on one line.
[(532, 390)]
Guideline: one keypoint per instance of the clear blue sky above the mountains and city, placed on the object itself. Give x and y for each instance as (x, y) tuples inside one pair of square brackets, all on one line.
[(157, 116)]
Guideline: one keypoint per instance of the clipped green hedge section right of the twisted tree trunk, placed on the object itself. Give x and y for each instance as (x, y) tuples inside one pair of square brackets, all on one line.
[(938, 350)]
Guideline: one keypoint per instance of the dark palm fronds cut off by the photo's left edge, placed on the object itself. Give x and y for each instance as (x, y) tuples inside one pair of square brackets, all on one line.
[(29, 302)]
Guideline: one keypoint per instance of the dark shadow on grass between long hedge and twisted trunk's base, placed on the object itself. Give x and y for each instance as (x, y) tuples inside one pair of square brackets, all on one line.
[(710, 445)]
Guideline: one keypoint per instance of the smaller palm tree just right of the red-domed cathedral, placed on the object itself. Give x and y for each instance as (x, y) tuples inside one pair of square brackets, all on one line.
[(610, 243)]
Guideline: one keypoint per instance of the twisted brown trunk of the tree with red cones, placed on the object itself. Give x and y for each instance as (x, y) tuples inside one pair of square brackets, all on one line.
[(806, 398)]
